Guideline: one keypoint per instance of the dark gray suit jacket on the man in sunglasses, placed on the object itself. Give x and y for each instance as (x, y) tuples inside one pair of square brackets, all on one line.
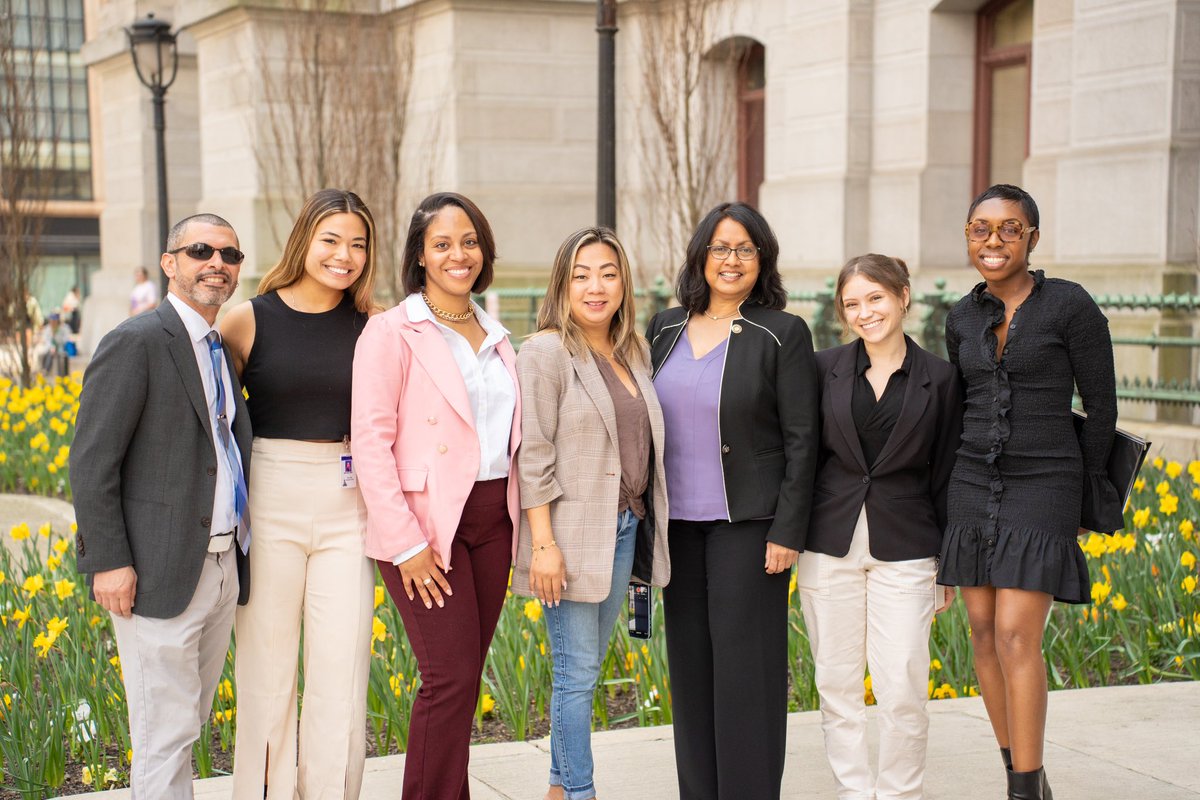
[(143, 468)]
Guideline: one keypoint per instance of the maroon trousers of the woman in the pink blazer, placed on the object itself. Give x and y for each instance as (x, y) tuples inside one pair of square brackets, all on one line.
[(451, 645)]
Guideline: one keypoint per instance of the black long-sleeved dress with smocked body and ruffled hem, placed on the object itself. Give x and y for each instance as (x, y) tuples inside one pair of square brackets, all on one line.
[(1023, 480)]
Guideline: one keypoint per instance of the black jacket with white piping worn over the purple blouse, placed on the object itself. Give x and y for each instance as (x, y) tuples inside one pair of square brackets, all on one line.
[(769, 416)]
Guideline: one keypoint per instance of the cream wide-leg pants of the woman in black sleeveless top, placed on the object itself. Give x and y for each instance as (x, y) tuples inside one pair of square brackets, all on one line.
[(308, 567)]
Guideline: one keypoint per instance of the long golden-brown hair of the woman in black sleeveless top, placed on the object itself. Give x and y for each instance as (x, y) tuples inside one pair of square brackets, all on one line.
[(320, 206)]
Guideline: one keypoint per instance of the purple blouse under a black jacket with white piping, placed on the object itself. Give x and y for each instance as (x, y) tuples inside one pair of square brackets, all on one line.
[(691, 390)]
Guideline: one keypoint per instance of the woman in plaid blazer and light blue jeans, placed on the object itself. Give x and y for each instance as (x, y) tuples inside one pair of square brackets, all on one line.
[(592, 482)]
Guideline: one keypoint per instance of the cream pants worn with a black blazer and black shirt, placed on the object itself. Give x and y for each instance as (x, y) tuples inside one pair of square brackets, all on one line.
[(862, 612)]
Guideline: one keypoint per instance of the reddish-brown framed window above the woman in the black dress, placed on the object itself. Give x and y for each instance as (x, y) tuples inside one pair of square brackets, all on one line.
[(1003, 92)]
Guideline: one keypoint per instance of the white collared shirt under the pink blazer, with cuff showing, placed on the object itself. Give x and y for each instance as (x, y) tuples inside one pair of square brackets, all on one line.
[(490, 390)]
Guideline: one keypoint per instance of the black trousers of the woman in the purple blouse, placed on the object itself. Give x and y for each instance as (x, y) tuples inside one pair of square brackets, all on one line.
[(727, 625)]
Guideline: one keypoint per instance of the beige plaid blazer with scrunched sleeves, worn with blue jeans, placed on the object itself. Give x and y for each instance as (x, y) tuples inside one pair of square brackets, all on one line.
[(569, 459)]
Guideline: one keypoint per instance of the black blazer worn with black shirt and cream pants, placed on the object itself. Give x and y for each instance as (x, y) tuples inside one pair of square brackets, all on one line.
[(905, 490)]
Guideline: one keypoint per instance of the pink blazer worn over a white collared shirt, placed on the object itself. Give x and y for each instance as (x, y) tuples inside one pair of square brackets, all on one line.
[(413, 437)]
